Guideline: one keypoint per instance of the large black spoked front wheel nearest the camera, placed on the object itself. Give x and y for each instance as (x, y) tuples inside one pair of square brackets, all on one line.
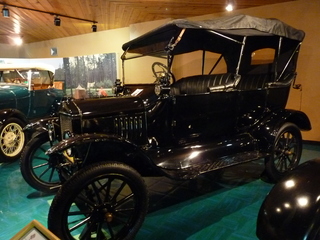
[(101, 201)]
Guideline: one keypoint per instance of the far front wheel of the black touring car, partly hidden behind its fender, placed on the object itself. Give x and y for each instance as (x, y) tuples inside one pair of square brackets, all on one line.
[(38, 169)]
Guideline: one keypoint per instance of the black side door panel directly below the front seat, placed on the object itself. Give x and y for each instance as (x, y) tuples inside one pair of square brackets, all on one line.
[(207, 115)]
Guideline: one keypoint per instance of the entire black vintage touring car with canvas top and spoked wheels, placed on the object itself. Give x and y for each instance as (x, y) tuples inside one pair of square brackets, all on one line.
[(217, 100)]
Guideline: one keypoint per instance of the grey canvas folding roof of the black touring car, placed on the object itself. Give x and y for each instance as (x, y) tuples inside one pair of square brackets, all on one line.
[(231, 26)]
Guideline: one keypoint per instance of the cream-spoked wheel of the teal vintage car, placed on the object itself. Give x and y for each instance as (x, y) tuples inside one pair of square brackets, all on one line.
[(12, 139)]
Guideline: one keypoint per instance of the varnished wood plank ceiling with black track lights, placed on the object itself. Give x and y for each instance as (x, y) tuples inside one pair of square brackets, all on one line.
[(35, 26)]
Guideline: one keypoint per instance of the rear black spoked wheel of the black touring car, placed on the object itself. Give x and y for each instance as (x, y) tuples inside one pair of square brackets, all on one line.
[(286, 152)]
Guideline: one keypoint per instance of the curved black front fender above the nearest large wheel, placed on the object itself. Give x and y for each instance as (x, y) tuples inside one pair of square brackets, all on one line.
[(104, 147)]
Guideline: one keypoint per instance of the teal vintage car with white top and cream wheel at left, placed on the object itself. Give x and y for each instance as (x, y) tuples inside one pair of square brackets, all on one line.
[(27, 93)]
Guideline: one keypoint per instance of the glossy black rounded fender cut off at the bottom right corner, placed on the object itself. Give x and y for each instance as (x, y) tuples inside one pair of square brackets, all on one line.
[(291, 209)]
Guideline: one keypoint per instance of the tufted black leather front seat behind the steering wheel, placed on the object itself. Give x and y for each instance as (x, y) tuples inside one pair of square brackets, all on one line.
[(202, 84)]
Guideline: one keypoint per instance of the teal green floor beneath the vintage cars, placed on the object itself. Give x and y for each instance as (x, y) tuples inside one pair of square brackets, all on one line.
[(221, 205)]
